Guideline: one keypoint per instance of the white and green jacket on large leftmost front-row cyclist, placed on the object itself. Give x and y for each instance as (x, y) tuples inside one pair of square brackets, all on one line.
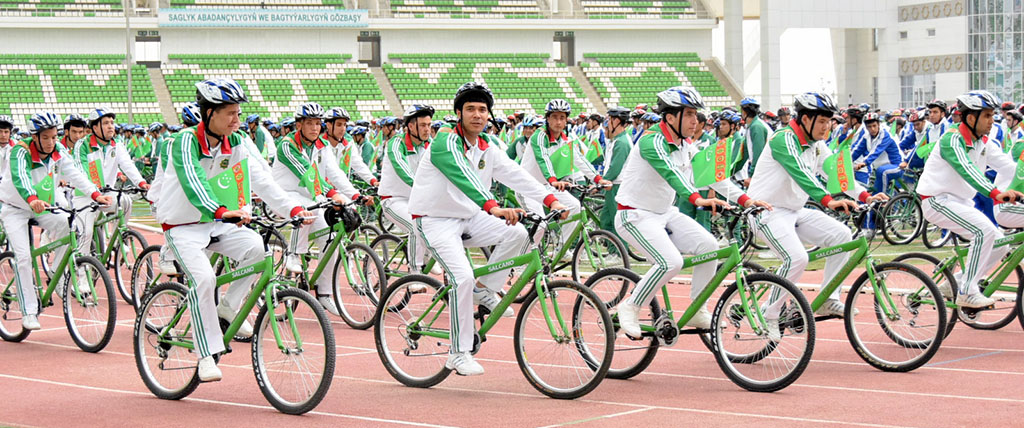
[(184, 192)]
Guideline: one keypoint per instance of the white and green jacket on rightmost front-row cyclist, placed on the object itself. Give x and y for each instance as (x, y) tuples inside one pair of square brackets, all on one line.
[(957, 166)]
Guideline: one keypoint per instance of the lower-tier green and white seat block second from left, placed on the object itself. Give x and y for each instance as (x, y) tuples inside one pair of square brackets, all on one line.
[(278, 84)]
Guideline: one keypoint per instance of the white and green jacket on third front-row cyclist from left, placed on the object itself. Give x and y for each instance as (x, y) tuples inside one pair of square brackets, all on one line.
[(657, 170)]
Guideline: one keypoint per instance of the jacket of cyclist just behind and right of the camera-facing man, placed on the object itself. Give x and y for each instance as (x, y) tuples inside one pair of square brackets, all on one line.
[(537, 158)]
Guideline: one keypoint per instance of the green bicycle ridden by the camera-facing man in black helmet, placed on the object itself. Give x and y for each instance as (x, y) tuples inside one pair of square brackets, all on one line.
[(563, 339)]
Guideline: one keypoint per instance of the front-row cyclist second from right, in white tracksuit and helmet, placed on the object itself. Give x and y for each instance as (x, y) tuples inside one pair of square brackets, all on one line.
[(786, 177)]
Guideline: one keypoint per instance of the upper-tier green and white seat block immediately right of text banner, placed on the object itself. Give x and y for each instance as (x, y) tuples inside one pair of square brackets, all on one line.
[(511, 10)]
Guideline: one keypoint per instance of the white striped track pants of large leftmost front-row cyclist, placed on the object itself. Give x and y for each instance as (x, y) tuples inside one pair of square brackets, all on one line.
[(188, 243)]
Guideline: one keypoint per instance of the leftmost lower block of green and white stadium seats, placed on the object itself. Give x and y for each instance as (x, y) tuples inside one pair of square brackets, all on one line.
[(67, 84)]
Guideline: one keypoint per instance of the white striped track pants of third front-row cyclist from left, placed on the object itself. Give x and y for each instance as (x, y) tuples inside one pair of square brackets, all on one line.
[(650, 233)]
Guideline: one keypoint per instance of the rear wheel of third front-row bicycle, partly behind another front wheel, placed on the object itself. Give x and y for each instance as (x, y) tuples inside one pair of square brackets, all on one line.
[(632, 357)]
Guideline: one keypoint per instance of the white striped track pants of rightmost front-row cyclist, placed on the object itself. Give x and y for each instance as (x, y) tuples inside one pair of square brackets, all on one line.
[(961, 218)]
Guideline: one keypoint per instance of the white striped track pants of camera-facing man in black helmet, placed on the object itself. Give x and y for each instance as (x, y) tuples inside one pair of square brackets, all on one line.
[(443, 237)]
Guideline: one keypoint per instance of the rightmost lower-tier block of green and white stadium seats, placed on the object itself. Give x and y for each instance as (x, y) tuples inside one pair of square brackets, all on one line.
[(629, 79)]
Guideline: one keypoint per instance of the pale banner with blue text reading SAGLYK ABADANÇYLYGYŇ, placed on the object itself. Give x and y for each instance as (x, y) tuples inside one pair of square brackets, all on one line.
[(263, 18)]
